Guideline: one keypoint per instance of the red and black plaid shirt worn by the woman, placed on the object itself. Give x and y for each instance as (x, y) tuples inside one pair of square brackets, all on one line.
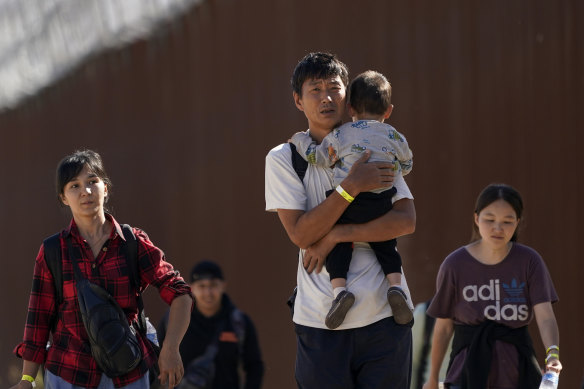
[(69, 355)]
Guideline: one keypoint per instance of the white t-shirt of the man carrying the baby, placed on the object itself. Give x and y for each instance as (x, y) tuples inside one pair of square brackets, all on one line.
[(365, 279)]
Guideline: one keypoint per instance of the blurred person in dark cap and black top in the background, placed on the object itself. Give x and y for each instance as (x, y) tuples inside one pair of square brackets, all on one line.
[(220, 338)]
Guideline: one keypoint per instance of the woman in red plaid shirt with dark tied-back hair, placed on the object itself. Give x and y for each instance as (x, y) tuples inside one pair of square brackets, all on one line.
[(83, 185)]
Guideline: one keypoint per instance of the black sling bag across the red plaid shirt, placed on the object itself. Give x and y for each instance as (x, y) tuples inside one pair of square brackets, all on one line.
[(114, 345)]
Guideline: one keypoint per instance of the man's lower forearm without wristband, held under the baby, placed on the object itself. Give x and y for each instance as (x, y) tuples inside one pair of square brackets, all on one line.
[(400, 221)]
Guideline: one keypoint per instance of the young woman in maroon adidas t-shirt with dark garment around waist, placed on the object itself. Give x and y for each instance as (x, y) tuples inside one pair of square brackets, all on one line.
[(487, 292)]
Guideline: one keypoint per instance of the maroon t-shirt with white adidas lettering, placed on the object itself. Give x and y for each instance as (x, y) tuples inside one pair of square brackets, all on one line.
[(468, 292)]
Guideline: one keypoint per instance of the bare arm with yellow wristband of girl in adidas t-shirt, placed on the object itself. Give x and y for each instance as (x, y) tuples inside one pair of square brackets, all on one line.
[(550, 335)]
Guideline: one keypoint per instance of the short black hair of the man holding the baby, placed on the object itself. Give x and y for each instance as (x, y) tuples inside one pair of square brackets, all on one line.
[(318, 66)]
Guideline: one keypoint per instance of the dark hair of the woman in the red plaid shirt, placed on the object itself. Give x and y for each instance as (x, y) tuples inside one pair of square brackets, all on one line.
[(71, 166)]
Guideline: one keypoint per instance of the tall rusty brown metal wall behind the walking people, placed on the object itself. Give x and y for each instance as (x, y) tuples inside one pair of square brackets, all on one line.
[(484, 91)]
